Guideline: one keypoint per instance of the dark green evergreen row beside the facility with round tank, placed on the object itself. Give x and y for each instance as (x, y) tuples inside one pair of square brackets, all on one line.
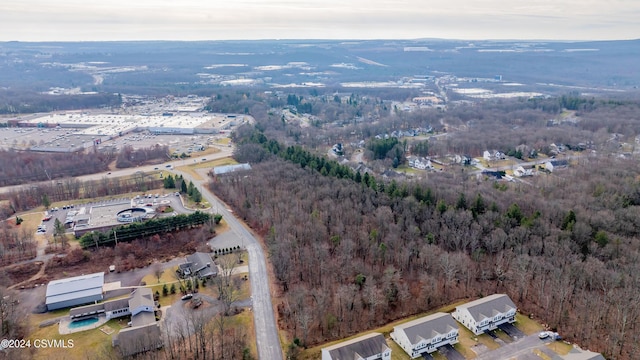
[(143, 229)]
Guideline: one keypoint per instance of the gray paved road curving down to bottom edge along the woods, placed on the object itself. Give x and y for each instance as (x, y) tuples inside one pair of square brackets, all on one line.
[(267, 339)]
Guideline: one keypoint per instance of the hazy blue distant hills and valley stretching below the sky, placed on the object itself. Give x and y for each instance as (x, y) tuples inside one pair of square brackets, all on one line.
[(167, 66)]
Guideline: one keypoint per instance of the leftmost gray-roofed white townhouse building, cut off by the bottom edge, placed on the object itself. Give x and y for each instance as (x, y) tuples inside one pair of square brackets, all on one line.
[(368, 347)]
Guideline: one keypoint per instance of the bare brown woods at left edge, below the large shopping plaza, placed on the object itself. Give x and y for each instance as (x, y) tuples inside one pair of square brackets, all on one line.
[(24, 167)]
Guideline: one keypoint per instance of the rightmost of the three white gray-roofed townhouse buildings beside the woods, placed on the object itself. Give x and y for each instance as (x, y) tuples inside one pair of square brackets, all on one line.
[(486, 314)]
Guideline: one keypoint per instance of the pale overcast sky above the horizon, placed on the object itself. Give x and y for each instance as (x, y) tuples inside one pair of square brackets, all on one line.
[(85, 20)]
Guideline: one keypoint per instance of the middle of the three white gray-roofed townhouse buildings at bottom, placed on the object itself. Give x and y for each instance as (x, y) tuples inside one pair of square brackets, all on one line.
[(426, 334)]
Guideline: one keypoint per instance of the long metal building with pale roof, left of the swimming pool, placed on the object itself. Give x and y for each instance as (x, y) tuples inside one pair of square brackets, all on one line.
[(74, 291)]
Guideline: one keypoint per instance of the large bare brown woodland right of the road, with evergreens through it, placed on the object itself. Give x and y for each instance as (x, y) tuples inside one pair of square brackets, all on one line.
[(564, 247)]
